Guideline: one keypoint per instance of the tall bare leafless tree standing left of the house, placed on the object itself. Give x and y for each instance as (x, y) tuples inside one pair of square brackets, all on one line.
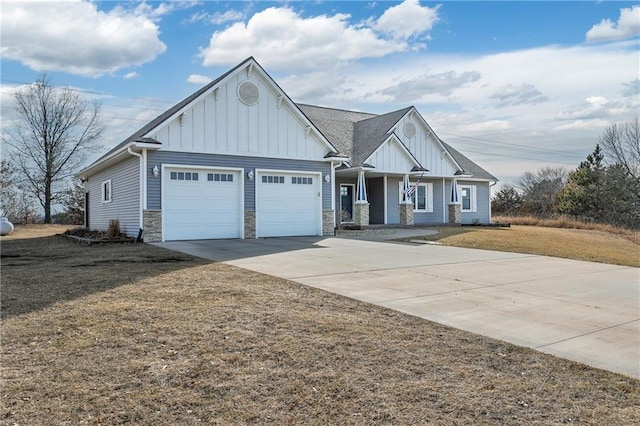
[(50, 139)]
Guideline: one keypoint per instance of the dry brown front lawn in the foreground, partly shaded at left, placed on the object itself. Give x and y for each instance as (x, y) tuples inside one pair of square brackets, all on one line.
[(134, 334)]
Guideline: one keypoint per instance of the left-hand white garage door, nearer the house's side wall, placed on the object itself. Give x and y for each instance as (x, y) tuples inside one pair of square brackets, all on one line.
[(201, 204)]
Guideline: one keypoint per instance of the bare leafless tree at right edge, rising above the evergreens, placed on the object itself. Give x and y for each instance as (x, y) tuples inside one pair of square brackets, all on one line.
[(621, 145)]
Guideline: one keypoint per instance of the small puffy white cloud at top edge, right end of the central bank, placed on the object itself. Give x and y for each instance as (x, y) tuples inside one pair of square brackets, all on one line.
[(407, 19)]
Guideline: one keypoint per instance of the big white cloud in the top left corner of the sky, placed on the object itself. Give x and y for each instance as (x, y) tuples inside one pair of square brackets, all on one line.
[(76, 37)]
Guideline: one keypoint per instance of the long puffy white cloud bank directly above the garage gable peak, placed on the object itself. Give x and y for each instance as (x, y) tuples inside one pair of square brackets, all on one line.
[(283, 40)]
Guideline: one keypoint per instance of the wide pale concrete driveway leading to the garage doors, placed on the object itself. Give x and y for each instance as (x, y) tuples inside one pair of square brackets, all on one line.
[(583, 311)]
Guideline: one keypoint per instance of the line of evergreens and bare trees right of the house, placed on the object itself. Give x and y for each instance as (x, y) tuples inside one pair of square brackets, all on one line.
[(604, 188)]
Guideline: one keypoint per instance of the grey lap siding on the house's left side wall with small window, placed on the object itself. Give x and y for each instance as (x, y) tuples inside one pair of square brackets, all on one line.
[(125, 197)]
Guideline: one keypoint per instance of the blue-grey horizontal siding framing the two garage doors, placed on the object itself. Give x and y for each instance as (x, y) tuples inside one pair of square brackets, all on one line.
[(247, 163)]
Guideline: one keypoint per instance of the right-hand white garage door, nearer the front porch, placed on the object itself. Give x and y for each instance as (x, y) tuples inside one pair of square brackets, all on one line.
[(288, 204)]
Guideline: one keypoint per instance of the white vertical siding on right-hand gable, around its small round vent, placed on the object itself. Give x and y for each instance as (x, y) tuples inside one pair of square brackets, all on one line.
[(426, 149)]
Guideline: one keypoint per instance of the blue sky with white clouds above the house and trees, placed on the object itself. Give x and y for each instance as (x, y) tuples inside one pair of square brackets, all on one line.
[(516, 86)]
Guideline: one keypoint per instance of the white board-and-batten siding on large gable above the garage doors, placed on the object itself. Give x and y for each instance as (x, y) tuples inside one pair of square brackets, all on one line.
[(220, 124)]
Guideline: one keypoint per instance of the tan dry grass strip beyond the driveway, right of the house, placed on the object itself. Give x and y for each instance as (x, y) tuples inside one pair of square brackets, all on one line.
[(580, 244)]
